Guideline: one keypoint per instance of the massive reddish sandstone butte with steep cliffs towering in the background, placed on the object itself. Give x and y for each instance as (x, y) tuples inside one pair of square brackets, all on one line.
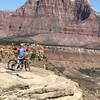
[(68, 18)]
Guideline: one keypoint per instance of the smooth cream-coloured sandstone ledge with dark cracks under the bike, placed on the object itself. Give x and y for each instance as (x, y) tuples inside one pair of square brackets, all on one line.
[(38, 84)]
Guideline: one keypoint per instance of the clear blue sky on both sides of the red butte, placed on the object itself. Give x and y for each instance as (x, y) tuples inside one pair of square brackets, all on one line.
[(12, 5)]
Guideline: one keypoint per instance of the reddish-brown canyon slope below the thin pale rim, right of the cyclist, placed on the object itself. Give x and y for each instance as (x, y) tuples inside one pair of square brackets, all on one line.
[(71, 57)]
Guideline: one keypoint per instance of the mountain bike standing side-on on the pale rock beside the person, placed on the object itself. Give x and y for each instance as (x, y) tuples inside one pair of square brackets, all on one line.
[(14, 65)]
